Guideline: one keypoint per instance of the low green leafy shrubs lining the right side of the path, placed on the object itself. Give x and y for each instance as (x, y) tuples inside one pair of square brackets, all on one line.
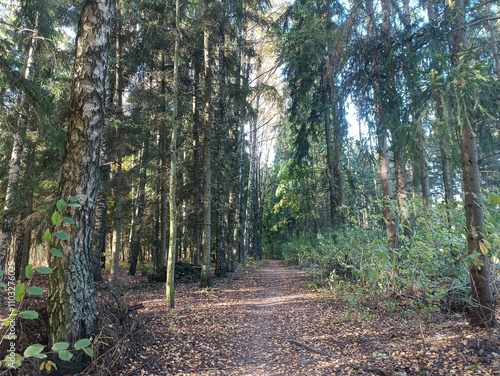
[(428, 268)]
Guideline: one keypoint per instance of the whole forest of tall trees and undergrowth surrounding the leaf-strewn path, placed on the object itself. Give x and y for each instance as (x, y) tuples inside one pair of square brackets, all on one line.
[(200, 141)]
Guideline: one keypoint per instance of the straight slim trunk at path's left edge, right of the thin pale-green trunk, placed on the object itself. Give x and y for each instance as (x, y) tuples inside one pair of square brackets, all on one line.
[(206, 277)]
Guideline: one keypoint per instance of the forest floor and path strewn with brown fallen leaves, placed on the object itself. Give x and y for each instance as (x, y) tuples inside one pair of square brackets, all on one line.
[(268, 320)]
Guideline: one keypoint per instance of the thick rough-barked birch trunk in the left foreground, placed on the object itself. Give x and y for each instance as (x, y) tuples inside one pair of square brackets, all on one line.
[(71, 303)]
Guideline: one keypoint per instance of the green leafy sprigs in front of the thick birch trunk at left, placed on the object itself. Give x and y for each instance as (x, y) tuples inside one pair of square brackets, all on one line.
[(17, 293)]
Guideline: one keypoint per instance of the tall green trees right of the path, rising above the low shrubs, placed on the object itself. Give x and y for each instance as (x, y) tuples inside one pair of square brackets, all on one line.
[(414, 84)]
